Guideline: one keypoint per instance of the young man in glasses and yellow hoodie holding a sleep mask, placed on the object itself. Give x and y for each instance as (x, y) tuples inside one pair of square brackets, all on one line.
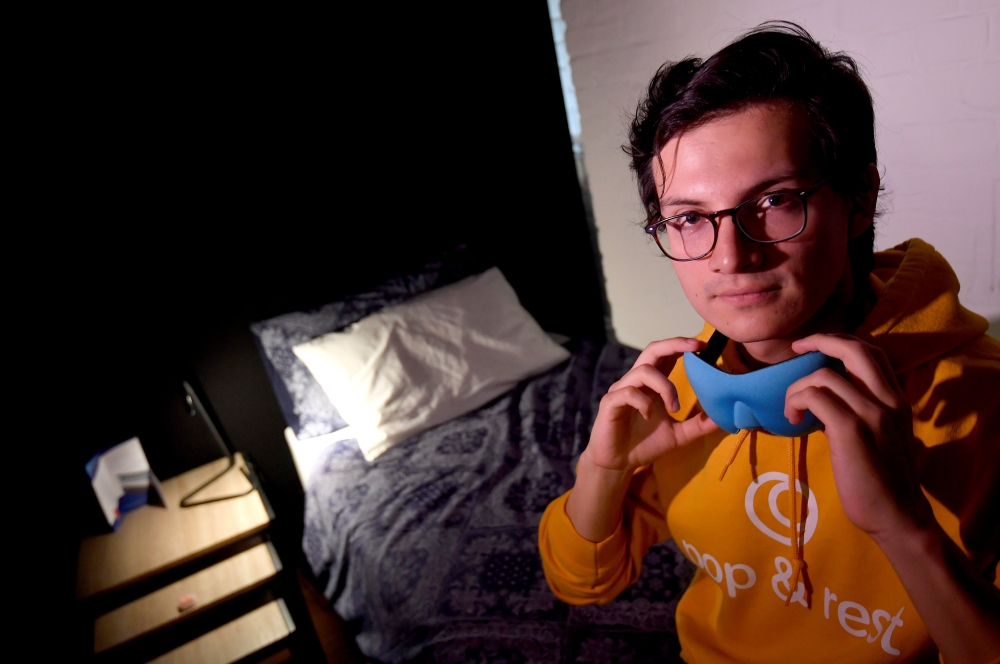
[(758, 171)]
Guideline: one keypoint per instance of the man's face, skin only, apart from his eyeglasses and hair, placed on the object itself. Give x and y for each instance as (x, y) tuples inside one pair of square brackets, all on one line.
[(753, 292)]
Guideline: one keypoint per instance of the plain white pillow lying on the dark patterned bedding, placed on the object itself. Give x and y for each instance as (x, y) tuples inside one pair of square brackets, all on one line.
[(433, 358)]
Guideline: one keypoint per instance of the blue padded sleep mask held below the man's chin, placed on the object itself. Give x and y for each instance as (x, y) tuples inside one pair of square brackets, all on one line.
[(754, 400)]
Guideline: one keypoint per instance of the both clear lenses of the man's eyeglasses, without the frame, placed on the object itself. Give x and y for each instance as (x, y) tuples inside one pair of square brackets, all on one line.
[(771, 218)]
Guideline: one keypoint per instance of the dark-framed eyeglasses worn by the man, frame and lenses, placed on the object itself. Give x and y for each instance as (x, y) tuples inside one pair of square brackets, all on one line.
[(774, 217)]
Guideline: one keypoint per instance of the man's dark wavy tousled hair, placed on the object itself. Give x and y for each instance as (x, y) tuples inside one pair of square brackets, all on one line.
[(777, 60)]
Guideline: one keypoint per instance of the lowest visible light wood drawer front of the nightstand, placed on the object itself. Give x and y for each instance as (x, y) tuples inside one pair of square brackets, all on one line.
[(237, 639)]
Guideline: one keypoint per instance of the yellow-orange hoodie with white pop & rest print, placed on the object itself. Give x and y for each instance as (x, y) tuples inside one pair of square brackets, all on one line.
[(848, 605)]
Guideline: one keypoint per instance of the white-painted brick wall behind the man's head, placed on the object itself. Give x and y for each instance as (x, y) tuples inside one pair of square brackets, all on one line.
[(934, 69)]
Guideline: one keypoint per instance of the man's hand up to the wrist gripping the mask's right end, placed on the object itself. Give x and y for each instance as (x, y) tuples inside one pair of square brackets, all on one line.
[(870, 429)]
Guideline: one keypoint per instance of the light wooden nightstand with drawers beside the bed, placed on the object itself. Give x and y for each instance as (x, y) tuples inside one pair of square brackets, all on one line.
[(130, 583)]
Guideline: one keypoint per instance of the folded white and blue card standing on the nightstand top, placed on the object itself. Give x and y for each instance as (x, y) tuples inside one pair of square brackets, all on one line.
[(123, 480)]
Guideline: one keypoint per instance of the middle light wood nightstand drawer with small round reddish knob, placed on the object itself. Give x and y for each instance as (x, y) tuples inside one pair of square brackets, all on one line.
[(211, 586)]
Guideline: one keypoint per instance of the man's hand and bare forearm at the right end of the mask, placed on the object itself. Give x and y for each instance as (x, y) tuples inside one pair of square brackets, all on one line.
[(870, 429)]
